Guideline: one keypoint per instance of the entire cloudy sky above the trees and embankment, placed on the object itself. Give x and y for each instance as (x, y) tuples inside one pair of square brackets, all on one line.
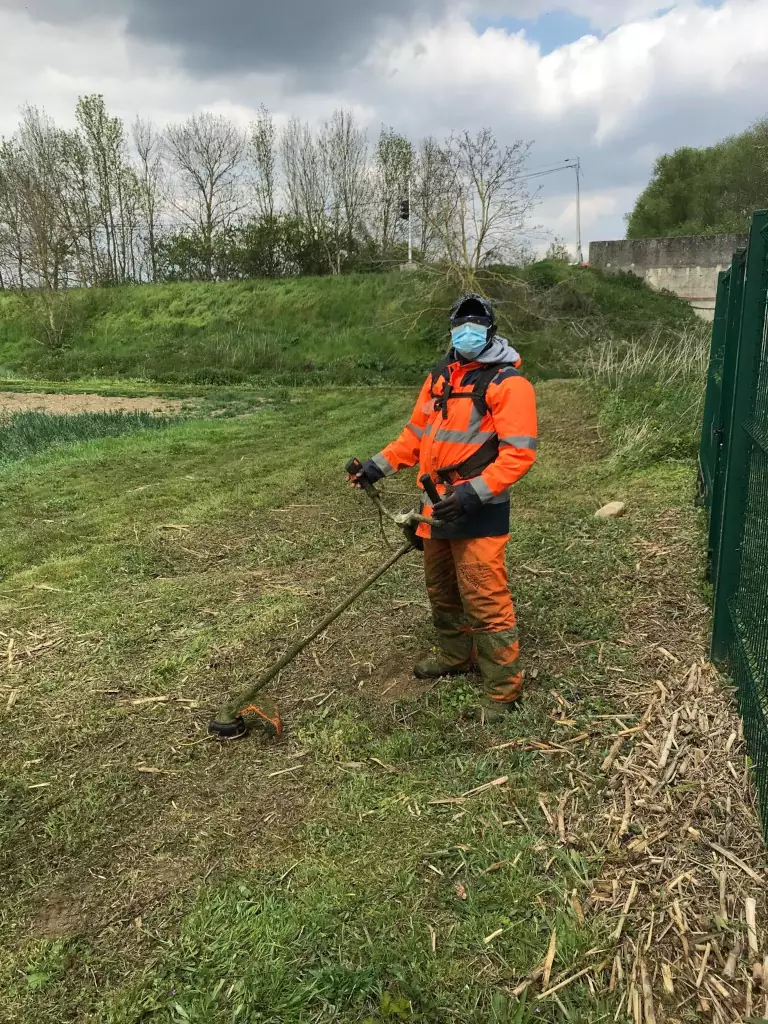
[(614, 82)]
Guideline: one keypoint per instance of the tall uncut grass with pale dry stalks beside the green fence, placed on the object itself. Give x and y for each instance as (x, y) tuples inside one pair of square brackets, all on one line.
[(653, 394)]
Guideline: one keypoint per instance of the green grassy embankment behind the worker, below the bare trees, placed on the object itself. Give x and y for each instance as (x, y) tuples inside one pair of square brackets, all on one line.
[(356, 329)]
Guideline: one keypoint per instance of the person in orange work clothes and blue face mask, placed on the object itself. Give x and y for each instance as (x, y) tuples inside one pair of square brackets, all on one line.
[(475, 433)]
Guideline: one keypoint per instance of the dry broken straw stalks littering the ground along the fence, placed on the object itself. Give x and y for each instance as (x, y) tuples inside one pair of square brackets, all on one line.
[(672, 808)]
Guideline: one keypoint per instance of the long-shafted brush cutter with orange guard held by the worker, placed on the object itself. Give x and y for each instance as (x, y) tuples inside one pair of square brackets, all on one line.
[(231, 721)]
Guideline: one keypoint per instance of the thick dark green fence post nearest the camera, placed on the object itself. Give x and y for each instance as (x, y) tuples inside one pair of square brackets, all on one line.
[(751, 325)]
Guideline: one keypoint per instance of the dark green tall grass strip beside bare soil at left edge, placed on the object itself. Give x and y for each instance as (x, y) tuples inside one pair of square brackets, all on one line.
[(29, 434)]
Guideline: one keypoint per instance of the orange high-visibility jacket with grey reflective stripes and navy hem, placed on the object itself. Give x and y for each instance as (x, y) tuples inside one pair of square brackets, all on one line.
[(444, 435)]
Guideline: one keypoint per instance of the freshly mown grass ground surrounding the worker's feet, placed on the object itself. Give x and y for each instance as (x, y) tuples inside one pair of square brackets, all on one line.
[(152, 875)]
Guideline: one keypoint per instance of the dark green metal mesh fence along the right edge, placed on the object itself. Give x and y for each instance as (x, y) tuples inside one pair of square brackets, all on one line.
[(734, 485)]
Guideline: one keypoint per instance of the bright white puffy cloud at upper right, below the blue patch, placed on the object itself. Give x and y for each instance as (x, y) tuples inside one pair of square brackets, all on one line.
[(692, 51)]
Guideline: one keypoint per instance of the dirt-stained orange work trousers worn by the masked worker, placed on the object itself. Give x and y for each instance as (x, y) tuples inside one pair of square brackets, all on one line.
[(474, 613)]
